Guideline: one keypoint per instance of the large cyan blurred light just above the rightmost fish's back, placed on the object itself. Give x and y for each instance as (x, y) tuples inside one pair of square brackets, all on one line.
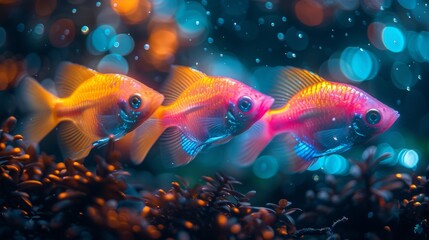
[(358, 64)]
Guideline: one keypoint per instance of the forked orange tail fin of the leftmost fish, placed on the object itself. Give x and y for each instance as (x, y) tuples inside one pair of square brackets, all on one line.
[(39, 102)]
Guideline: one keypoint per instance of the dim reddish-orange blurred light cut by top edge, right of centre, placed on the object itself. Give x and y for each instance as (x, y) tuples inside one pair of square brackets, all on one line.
[(309, 12)]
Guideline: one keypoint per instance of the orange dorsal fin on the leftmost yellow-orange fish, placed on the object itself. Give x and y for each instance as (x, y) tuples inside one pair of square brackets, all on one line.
[(69, 76)]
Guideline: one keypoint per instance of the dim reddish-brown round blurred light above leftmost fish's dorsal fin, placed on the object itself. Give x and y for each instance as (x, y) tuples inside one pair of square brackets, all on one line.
[(62, 32)]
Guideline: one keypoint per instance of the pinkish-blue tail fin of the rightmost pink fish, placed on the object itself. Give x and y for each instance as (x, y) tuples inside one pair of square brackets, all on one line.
[(246, 147)]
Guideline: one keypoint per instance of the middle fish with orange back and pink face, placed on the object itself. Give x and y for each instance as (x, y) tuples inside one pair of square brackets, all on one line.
[(199, 111)]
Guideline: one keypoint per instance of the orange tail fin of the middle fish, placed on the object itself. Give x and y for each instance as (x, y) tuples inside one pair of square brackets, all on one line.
[(145, 137)]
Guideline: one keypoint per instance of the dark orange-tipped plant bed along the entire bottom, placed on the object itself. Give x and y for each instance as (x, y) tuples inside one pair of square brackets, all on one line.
[(44, 199)]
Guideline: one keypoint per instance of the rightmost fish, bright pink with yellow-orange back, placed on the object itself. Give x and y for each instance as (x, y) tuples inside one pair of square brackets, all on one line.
[(312, 118)]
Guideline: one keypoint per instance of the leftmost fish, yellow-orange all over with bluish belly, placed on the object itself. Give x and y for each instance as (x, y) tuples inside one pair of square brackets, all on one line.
[(90, 108)]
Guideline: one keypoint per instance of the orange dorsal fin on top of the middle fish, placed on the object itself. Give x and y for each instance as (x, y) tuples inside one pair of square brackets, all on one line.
[(180, 79)]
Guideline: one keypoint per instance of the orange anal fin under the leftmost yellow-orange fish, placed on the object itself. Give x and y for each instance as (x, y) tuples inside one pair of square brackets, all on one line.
[(73, 143)]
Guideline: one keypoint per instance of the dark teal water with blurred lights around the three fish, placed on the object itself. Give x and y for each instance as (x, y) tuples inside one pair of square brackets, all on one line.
[(379, 46)]
